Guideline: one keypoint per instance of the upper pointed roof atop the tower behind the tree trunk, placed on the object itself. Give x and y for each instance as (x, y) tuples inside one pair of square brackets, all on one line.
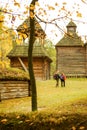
[(25, 28)]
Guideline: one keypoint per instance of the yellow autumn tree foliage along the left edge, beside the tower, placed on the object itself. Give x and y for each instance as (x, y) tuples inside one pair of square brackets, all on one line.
[(6, 41)]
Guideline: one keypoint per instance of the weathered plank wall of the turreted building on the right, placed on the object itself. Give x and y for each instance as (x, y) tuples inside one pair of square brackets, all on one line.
[(71, 60)]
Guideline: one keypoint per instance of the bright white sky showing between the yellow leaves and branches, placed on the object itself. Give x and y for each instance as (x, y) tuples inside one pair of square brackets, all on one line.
[(72, 6)]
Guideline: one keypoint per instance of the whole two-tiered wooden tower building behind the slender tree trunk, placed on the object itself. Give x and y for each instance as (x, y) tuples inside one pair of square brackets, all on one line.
[(19, 54)]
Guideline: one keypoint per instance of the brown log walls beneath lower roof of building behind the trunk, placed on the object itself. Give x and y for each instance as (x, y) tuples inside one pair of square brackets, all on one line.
[(41, 66)]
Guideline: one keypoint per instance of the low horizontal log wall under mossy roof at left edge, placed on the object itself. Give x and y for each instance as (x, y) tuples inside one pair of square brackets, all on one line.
[(14, 89)]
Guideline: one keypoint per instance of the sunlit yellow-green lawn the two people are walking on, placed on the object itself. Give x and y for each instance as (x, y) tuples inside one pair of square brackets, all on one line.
[(72, 98)]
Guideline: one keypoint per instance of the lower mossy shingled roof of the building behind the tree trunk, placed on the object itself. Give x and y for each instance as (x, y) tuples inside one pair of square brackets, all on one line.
[(22, 51)]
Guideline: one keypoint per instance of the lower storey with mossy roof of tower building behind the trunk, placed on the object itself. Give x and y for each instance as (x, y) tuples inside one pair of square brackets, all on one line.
[(41, 61)]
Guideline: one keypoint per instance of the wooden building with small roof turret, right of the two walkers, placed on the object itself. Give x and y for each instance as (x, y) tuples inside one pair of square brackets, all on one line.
[(71, 53)]
